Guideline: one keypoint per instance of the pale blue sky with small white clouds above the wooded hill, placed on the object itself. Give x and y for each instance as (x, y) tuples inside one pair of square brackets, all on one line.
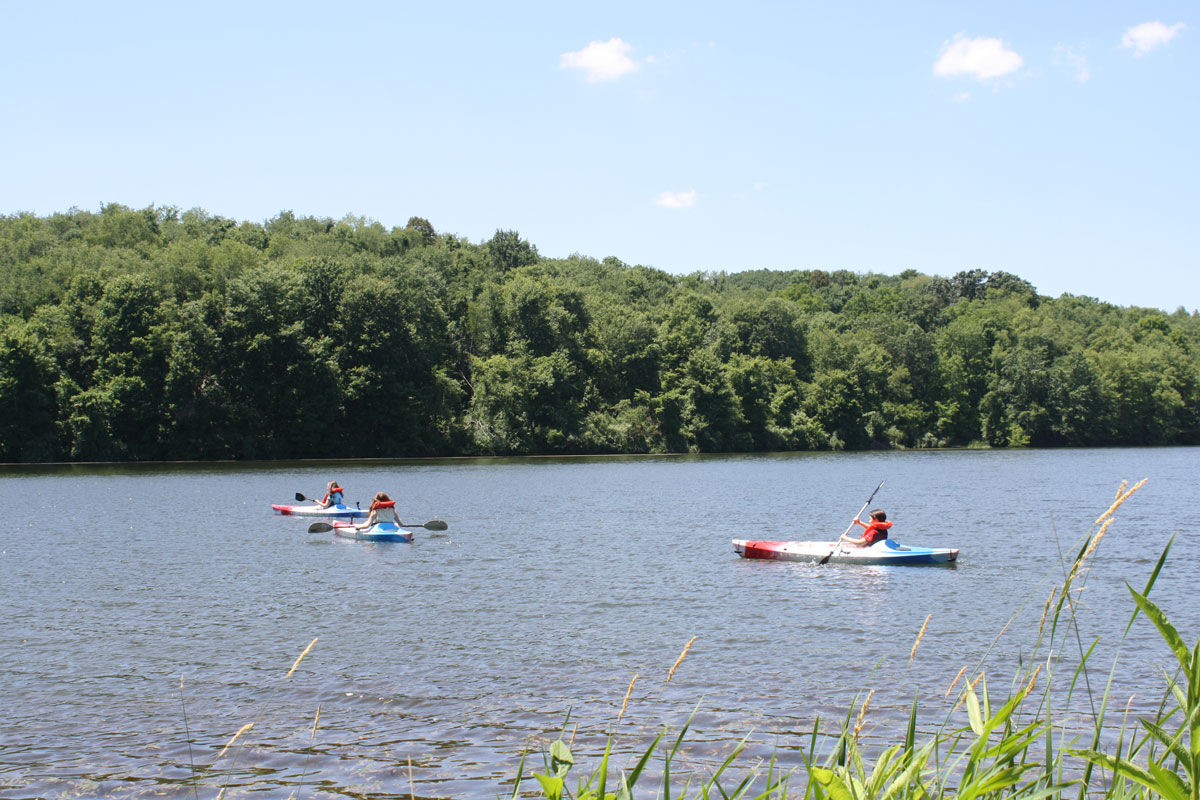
[(1054, 141)]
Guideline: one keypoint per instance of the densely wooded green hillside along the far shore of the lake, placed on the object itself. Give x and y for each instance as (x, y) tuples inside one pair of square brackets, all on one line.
[(158, 335)]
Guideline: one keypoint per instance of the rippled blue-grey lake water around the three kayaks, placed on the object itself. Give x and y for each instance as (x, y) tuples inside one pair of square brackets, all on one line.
[(439, 663)]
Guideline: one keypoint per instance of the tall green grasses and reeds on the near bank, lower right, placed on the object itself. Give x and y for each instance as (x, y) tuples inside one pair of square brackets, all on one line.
[(989, 745)]
